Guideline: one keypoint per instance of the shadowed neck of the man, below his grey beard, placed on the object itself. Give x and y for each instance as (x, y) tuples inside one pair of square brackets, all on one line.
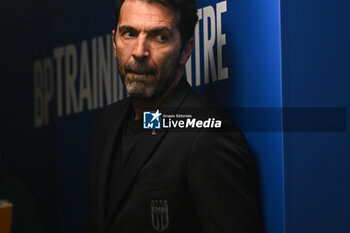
[(152, 104)]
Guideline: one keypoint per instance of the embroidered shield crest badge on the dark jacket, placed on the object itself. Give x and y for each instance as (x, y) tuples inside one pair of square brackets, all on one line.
[(160, 214)]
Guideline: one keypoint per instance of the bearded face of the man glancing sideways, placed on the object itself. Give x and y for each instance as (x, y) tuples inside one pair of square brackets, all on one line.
[(148, 48)]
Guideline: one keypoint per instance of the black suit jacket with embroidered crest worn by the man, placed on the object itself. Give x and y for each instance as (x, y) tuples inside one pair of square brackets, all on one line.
[(199, 181)]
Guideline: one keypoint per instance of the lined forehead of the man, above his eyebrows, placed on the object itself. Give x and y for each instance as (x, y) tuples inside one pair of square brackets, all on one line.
[(146, 15)]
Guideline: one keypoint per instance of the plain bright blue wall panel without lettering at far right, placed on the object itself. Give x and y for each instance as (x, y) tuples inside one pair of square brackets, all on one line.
[(315, 71)]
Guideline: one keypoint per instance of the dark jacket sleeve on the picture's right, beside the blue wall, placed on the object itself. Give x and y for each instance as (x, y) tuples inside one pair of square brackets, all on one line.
[(223, 184)]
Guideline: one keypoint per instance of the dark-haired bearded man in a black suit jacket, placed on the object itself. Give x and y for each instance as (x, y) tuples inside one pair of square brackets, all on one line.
[(199, 181)]
